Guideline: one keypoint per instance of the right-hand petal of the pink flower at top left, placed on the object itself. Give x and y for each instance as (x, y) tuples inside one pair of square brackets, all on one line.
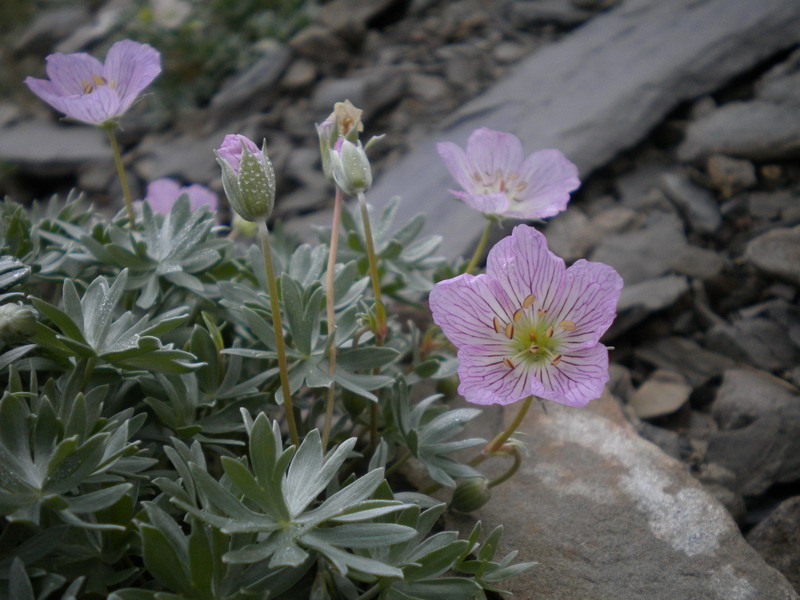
[(129, 68)]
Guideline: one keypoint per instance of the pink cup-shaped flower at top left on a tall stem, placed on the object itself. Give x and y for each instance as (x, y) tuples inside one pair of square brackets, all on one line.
[(84, 89)]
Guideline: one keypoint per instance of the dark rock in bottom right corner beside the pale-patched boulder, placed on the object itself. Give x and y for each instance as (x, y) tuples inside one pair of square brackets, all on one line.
[(777, 539)]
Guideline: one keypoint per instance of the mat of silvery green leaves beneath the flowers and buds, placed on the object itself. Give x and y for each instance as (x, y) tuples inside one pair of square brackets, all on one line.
[(142, 451)]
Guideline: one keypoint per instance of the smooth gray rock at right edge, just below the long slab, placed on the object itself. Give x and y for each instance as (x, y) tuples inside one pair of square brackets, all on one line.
[(758, 130)]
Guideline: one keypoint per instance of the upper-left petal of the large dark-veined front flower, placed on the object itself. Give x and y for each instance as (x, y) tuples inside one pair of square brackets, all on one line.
[(465, 308)]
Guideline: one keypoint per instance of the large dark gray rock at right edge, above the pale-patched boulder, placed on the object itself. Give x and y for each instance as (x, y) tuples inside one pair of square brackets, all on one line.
[(759, 417)]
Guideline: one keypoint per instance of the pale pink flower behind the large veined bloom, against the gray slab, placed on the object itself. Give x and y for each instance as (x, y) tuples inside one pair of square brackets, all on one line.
[(497, 180)]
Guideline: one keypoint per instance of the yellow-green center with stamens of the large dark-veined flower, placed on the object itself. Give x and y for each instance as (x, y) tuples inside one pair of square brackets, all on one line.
[(533, 335)]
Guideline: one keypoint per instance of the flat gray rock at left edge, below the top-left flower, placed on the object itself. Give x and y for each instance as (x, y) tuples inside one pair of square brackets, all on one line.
[(40, 144)]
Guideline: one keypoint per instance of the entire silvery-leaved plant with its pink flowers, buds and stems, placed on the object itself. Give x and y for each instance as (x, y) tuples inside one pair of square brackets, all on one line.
[(190, 417)]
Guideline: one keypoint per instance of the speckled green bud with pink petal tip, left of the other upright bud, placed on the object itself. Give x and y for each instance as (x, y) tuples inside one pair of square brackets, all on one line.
[(247, 177)]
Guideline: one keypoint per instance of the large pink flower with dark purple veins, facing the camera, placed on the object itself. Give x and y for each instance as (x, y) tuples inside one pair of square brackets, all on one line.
[(529, 326)]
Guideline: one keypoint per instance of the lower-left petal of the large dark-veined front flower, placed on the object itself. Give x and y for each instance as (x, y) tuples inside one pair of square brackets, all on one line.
[(486, 379)]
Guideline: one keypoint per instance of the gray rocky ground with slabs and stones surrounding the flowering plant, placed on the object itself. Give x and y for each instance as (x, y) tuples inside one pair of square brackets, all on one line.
[(686, 126)]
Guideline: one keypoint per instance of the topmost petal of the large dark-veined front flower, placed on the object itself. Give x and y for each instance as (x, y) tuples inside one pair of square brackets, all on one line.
[(524, 266)]
